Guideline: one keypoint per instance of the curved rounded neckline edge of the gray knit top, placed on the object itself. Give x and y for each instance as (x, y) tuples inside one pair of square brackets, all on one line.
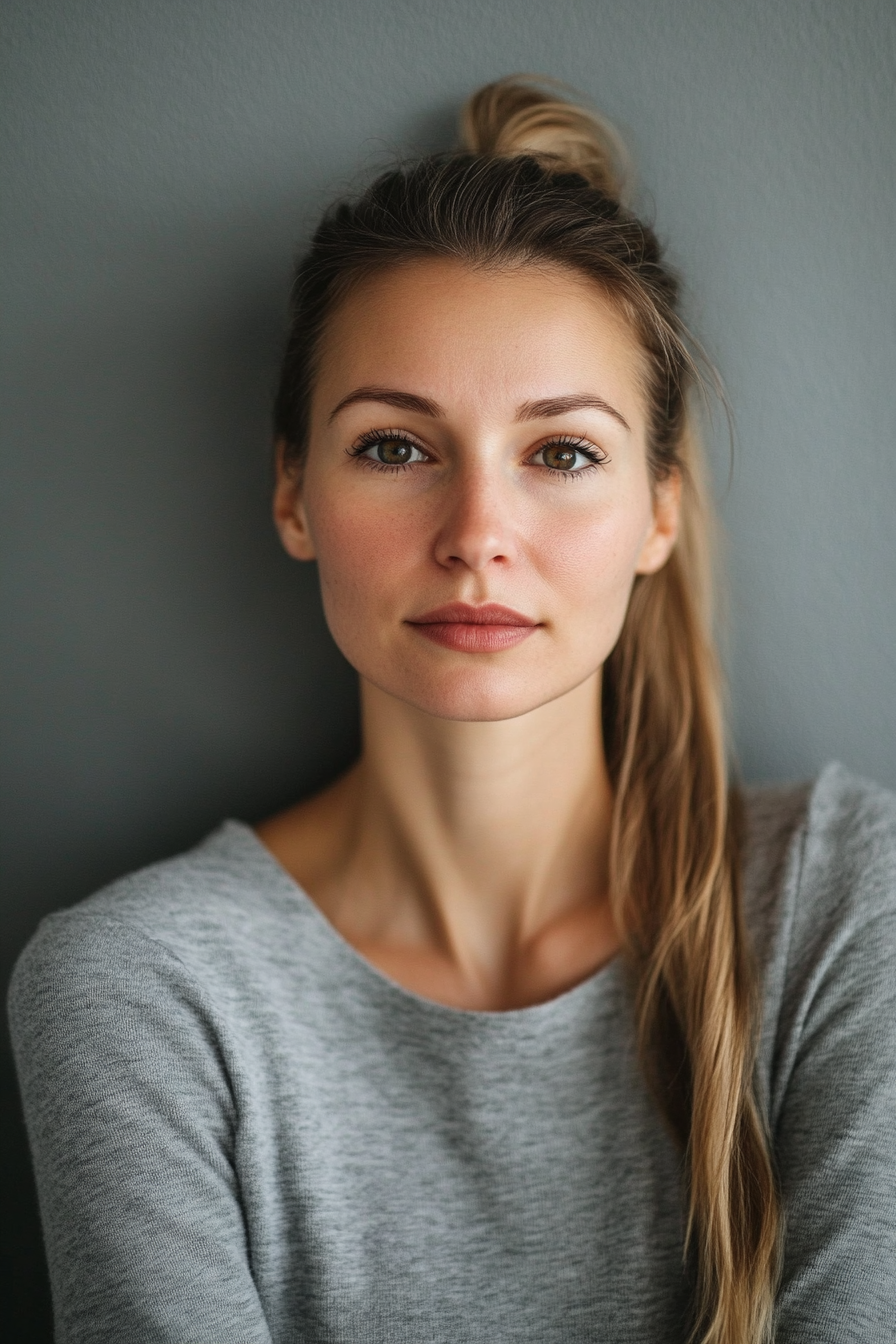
[(598, 983)]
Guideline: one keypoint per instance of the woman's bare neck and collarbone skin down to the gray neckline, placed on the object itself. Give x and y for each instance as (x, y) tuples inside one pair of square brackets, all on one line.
[(467, 862)]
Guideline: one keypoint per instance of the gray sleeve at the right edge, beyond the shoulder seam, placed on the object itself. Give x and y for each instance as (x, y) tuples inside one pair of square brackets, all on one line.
[(836, 1127)]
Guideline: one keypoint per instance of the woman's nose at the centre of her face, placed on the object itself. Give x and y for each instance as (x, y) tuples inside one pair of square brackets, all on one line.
[(476, 528)]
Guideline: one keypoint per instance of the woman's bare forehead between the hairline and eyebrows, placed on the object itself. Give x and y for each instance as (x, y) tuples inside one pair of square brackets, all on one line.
[(482, 338)]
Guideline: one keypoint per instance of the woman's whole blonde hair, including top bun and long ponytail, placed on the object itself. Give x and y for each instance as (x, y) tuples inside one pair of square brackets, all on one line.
[(542, 178)]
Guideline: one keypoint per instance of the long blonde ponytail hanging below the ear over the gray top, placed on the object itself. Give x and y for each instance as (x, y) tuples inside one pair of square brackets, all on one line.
[(675, 858)]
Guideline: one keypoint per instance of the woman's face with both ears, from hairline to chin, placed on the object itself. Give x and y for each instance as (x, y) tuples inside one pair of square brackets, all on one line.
[(478, 440)]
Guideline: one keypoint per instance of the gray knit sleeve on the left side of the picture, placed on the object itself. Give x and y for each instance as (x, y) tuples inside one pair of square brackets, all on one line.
[(132, 1122)]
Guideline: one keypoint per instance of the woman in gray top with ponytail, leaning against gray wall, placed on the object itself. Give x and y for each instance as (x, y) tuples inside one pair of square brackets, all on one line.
[(526, 1029)]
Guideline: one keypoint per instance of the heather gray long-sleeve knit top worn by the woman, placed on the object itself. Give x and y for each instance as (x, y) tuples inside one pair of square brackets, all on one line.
[(244, 1134)]
